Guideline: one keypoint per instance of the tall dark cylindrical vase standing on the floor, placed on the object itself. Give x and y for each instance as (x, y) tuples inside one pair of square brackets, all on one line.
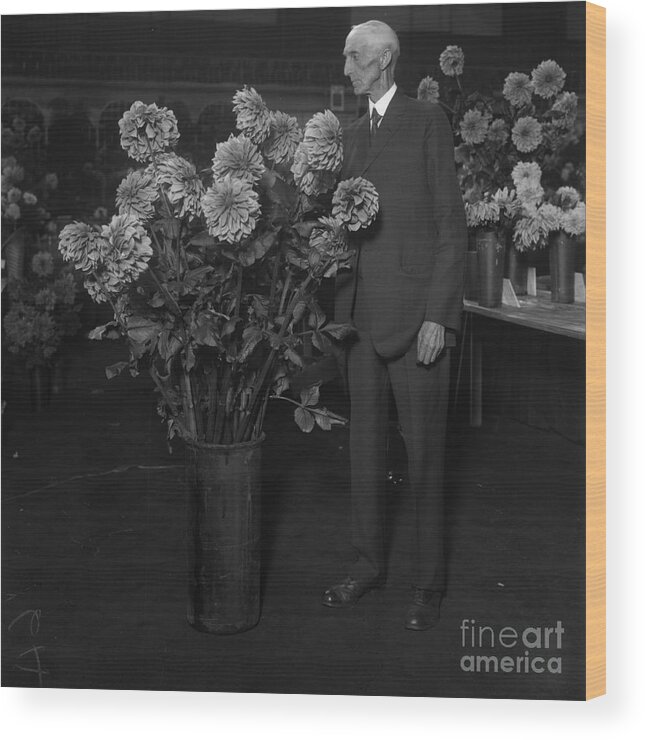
[(224, 485)]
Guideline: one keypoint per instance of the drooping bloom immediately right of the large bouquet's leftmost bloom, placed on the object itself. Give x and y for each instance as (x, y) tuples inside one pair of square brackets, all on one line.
[(129, 251)]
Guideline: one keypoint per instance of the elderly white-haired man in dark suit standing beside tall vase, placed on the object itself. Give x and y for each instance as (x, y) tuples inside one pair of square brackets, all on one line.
[(404, 297)]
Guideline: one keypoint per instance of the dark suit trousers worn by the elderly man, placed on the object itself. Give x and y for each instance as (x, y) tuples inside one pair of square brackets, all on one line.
[(421, 396)]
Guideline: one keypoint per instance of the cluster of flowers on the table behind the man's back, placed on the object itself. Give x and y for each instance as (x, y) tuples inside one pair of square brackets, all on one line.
[(510, 145)]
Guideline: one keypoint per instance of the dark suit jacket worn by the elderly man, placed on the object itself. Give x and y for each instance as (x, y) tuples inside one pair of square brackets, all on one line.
[(410, 260)]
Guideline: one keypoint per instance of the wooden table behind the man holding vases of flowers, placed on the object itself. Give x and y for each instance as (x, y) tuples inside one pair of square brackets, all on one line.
[(534, 312)]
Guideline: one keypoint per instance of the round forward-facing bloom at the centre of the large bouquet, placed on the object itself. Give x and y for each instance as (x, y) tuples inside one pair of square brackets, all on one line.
[(231, 208)]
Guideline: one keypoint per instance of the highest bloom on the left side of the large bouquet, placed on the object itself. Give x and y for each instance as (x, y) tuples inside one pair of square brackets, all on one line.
[(147, 130)]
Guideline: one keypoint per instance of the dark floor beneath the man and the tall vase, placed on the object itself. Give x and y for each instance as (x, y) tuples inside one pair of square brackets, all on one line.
[(94, 589)]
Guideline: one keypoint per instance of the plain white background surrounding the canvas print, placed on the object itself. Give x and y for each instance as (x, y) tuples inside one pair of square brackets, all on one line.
[(105, 714)]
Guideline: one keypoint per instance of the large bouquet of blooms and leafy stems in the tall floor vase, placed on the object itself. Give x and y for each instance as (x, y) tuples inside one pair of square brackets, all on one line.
[(212, 276)]
